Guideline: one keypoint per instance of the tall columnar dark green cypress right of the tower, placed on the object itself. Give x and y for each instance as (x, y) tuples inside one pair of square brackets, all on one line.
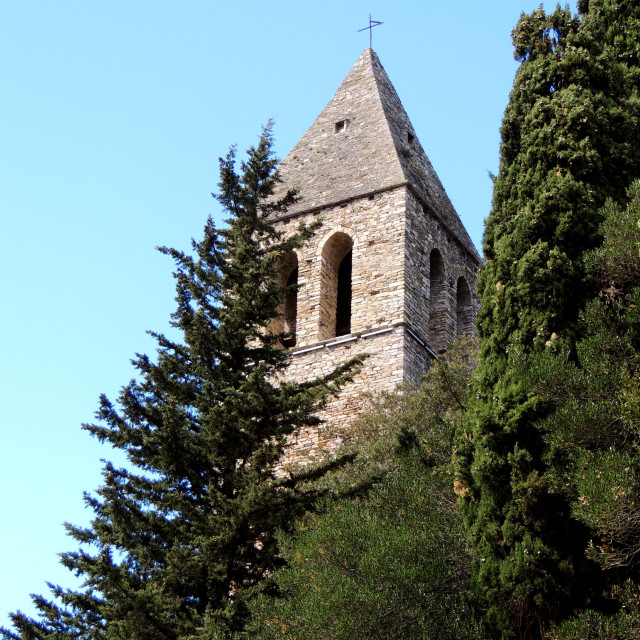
[(570, 140)]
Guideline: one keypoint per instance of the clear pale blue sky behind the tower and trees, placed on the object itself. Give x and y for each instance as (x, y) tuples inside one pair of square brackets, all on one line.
[(112, 118)]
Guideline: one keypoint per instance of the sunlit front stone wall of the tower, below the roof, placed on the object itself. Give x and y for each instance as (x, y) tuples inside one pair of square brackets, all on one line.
[(375, 225)]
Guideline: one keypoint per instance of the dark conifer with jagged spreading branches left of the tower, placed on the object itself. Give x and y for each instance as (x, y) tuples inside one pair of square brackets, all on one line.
[(185, 535)]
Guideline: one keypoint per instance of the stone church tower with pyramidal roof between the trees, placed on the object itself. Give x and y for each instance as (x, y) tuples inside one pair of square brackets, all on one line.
[(392, 271)]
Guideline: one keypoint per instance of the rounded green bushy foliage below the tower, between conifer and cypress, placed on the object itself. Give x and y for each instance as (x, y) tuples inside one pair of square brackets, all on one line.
[(391, 563)]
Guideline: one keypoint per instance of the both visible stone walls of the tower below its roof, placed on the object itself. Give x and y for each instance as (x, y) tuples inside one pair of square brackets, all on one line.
[(392, 236)]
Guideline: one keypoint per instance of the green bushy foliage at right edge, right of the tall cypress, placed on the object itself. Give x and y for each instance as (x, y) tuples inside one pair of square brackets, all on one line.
[(592, 426)]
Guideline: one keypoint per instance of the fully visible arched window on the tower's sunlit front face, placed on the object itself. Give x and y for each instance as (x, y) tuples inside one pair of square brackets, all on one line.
[(335, 288)]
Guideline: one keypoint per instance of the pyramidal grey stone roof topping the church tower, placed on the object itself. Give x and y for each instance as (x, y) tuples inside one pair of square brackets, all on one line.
[(361, 143)]
